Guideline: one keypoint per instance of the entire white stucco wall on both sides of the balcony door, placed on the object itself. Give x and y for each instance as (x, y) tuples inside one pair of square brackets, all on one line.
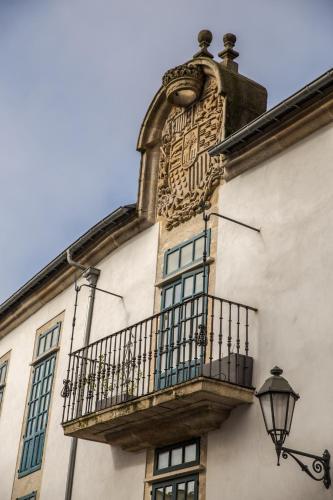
[(286, 271)]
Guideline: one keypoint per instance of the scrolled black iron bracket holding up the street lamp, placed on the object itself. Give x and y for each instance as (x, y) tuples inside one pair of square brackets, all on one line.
[(319, 469)]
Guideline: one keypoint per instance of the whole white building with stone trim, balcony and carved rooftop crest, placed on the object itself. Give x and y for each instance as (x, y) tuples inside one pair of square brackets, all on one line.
[(128, 365)]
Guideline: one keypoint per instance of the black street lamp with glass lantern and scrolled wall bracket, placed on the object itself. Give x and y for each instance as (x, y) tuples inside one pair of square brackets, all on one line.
[(277, 401)]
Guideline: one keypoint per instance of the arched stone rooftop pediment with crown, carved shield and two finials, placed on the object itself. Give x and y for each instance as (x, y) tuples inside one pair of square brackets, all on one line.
[(200, 103)]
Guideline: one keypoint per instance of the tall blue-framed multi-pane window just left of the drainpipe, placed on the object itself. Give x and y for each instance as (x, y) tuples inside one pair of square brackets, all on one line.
[(39, 401)]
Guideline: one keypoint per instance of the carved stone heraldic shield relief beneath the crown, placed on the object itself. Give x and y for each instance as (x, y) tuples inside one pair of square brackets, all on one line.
[(187, 174)]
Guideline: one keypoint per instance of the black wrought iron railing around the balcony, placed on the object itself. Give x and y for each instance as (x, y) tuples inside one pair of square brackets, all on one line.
[(205, 336)]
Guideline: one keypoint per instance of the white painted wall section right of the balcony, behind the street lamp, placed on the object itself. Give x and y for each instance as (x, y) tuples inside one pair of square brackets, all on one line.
[(287, 272)]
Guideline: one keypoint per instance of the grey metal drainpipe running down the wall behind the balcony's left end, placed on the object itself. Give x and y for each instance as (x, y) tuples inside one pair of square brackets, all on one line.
[(91, 274)]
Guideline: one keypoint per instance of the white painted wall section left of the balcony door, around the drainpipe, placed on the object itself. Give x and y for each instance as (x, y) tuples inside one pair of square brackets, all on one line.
[(100, 470)]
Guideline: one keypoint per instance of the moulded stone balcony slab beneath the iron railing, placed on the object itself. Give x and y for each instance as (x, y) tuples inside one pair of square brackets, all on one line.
[(175, 413)]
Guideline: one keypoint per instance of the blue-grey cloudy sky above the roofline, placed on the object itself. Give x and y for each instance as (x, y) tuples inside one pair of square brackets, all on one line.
[(76, 77)]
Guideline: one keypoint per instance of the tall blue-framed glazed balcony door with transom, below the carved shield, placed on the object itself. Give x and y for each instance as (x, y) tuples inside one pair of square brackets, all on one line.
[(179, 356)]
